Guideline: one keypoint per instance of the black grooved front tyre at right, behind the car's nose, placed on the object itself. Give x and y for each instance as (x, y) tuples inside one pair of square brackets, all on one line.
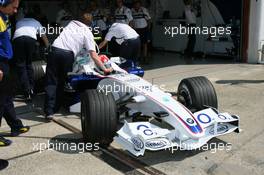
[(196, 93)]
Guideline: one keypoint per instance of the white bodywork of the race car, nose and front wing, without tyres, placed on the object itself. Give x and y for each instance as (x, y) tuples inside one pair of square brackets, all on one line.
[(182, 128)]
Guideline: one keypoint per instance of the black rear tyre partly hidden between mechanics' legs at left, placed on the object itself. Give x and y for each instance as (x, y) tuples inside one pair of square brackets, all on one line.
[(39, 75)]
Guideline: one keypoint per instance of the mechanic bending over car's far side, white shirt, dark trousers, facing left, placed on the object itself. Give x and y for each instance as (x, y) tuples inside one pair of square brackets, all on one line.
[(127, 38)]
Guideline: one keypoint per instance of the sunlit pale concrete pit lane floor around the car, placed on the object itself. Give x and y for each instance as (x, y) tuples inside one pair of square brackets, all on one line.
[(240, 89)]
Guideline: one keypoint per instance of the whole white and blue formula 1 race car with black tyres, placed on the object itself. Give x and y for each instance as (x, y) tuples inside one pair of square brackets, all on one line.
[(138, 115)]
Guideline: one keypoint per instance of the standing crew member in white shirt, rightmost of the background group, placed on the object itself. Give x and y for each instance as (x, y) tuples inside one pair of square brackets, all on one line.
[(141, 23)]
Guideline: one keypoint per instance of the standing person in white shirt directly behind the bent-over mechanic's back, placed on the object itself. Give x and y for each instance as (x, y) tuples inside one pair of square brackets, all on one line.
[(122, 13)]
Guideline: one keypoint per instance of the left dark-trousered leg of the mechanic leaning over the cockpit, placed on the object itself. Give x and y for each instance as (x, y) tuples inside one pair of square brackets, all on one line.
[(51, 85)]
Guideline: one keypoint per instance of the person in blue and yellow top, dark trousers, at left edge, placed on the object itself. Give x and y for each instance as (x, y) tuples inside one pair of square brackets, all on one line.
[(7, 110)]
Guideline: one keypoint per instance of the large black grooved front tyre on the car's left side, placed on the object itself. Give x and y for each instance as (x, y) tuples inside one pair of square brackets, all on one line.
[(98, 117)]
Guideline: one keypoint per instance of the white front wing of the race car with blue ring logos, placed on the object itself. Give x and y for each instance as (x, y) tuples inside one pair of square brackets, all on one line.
[(138, 137)]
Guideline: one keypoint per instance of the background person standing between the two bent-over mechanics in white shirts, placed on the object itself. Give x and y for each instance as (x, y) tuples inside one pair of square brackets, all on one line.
[(99, 18)]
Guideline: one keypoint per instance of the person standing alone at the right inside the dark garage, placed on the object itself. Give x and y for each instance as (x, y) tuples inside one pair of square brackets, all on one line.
[(190, 17)]
